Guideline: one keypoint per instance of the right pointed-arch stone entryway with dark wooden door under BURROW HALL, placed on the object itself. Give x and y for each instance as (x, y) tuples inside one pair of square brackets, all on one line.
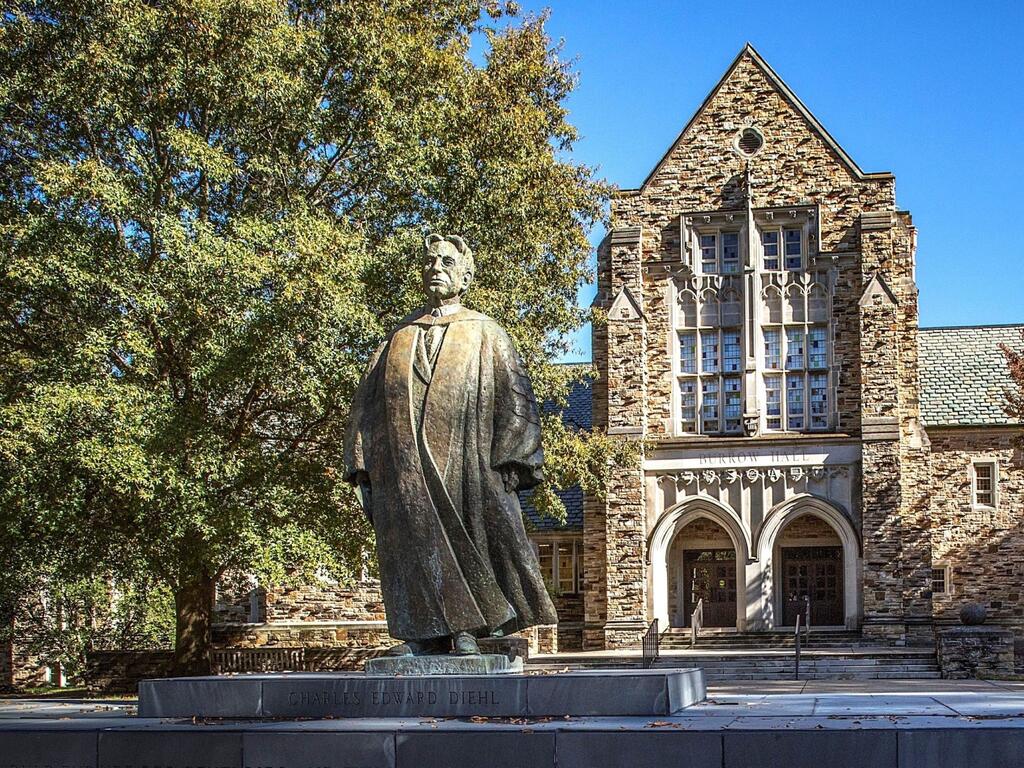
[(810, 559)]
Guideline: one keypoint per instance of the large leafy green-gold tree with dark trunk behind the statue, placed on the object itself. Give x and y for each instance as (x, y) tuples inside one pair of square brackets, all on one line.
[(210, 214)]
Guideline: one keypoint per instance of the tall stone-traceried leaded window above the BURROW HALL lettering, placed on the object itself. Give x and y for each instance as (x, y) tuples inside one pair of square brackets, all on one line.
[(791, 344)]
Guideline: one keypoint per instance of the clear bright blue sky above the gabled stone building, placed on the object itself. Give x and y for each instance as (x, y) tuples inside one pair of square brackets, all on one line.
[(930, 92)]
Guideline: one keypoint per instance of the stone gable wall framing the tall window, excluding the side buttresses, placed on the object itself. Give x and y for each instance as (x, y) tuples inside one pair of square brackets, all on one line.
[(703, 174)]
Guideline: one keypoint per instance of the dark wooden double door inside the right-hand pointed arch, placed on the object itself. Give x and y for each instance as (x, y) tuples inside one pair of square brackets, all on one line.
[(816, 574)]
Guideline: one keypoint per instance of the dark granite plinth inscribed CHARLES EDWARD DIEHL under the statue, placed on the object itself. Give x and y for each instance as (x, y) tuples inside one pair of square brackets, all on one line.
[(589, 694)]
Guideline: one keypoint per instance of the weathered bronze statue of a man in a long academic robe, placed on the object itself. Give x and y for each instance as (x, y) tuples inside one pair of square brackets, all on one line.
[(445, 431)]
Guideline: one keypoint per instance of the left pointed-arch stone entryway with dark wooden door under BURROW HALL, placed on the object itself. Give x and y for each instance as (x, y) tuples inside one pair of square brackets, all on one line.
[(699, 549)]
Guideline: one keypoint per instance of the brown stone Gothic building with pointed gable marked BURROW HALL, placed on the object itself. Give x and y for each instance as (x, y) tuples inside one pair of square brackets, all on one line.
[(807, 446)]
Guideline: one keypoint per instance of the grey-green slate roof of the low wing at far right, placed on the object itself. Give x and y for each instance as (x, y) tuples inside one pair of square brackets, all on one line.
[(963, 374)]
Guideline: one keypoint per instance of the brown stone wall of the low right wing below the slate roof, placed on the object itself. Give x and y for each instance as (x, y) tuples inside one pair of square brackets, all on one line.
[(985, 548)]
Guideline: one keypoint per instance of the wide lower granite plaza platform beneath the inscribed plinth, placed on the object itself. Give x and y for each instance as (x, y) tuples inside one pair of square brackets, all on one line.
[(754, 732)]
